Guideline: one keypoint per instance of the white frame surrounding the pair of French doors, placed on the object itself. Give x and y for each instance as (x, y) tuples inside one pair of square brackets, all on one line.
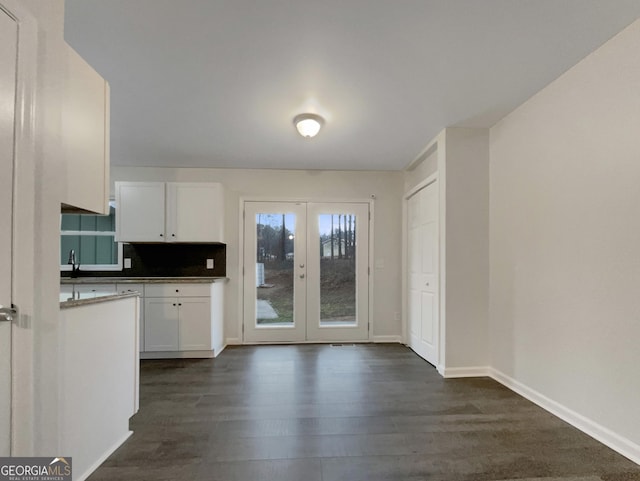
[(240, 300)]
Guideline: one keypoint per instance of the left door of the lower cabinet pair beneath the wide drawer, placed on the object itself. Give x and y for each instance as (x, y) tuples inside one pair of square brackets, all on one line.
[(161, 324)]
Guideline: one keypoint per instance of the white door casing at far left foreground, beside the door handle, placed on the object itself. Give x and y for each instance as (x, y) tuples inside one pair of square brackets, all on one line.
[(26, 131)]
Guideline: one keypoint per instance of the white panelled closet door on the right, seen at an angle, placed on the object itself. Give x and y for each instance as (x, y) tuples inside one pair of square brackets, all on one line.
[(423, 272)]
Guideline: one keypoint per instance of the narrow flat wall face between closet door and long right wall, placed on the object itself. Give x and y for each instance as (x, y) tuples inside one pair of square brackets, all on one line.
[(467, 249)]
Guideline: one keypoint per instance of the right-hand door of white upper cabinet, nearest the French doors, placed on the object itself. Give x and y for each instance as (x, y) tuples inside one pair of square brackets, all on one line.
[(194, 212)]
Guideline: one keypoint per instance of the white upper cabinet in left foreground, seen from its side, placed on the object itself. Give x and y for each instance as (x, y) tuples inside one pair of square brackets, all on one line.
[(85, 138)]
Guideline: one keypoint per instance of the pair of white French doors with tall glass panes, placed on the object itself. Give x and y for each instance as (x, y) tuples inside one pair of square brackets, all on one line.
[(306, 272)]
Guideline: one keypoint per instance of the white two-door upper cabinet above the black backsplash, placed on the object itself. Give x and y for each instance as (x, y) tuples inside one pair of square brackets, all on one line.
[(169, 212)]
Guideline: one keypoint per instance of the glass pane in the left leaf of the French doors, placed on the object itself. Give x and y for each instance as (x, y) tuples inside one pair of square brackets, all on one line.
[(274, 269)]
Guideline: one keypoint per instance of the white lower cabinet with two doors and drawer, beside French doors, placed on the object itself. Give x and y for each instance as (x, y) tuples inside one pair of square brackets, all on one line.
[(177, 318)]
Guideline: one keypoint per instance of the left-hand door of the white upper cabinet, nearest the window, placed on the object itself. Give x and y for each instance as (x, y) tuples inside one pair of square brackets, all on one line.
[(140, 208)]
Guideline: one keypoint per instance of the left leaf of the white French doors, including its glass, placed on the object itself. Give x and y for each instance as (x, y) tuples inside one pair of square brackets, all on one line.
[(275, 271)]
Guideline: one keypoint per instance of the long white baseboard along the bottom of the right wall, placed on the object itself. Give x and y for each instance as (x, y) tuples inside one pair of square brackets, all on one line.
[(607, 437)]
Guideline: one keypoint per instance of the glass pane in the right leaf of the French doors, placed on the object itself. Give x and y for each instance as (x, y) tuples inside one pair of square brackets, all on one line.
[(337, 269)]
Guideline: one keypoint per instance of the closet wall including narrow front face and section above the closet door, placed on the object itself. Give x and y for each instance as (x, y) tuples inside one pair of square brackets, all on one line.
[(460, 156)]
